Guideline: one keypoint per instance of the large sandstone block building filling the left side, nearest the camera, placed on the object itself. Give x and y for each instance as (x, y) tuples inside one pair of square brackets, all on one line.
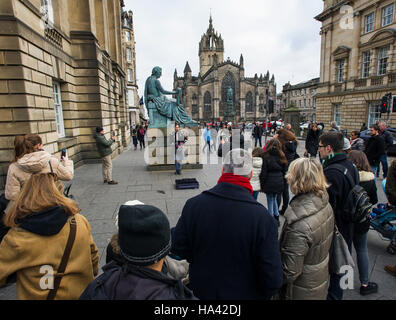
[(61, 75)]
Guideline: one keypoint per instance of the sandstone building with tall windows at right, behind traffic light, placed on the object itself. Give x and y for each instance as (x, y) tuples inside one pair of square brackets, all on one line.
[(358, 61)]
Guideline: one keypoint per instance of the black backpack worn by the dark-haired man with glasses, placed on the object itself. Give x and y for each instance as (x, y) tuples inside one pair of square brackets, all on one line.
[(357, 207)]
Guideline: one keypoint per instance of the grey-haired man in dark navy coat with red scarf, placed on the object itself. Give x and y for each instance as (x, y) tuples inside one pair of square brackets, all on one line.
[(230, 240)]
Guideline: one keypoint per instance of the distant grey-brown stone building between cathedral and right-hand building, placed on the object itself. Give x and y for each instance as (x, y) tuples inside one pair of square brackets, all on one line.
[(302, 96)]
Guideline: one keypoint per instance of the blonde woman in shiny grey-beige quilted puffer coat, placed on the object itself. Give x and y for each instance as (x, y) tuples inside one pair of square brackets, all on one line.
[(307, 233)]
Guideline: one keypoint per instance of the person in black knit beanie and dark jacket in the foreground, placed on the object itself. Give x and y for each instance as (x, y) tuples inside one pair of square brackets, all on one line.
[(144, 241)]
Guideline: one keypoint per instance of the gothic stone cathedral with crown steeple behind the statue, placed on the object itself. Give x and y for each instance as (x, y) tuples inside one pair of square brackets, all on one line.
[(205, 96)]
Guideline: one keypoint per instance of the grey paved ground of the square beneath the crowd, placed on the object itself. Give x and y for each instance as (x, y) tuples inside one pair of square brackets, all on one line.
[(100, 203)]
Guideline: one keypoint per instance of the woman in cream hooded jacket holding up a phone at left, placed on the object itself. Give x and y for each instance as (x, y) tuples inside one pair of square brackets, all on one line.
[(30, 158)]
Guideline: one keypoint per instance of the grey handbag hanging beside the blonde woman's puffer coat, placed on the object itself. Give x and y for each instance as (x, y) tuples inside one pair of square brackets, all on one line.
[(339, 253)]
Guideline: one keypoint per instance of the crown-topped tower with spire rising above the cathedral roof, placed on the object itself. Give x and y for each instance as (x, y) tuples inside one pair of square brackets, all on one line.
[(211, 49)]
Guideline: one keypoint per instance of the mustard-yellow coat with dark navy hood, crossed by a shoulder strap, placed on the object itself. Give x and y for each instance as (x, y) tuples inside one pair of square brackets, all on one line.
[(40, 240)]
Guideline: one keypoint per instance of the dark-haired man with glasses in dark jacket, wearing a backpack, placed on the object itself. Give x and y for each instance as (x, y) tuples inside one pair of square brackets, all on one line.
[(330, 149)]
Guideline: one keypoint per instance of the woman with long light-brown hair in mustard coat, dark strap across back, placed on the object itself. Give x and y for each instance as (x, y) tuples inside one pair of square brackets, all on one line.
[(45, 229)]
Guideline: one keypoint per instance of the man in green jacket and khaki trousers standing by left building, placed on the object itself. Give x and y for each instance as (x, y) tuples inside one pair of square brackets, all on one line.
[(105, 151)]
